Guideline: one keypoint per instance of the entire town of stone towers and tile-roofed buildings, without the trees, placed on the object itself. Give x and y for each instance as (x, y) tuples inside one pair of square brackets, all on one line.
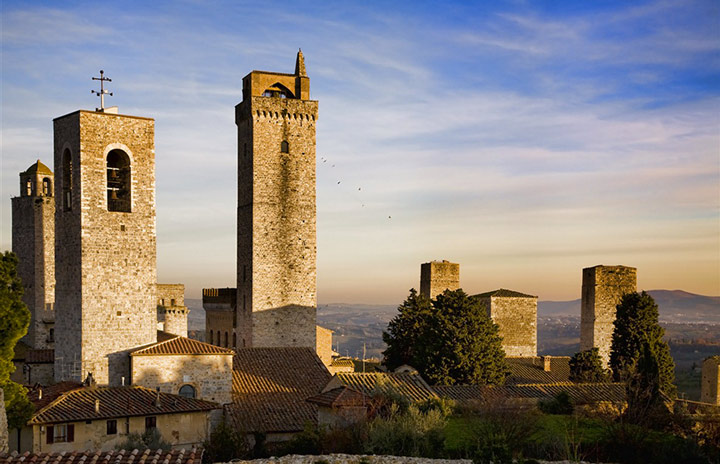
[(107, 353)]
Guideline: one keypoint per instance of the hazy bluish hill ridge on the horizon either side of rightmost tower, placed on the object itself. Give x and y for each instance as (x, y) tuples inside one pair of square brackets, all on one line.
[(674, 305)]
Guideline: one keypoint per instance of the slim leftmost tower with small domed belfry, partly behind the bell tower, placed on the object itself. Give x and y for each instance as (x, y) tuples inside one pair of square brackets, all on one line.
[(33, 241)]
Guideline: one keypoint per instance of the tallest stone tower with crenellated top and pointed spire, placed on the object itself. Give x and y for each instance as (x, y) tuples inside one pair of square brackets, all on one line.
[(276, 262)]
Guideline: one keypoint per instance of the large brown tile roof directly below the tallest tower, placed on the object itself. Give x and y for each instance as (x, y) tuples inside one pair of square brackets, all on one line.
[(270, 386)]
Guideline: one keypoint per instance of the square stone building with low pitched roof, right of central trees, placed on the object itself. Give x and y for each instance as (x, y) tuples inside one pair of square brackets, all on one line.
[(515, 314)]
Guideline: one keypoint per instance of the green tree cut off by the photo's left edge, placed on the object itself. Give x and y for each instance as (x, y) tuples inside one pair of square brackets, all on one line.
[(14, 322)]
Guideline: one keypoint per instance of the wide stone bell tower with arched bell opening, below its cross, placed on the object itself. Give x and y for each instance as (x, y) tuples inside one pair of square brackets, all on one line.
[(105, 243)]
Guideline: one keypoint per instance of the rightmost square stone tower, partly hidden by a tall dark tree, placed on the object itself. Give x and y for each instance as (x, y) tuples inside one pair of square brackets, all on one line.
[(602, 289)]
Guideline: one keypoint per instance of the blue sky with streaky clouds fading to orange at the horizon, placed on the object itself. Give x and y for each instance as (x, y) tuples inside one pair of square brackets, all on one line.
[(524, 140)]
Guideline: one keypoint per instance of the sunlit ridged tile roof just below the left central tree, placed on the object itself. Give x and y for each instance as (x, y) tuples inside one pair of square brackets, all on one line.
[(409, 385)]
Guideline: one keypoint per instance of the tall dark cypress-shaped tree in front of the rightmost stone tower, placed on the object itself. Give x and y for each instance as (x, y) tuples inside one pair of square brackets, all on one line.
[(640, 357)]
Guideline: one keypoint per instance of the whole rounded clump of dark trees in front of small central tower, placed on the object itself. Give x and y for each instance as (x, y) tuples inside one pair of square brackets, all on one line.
[(449, 340)]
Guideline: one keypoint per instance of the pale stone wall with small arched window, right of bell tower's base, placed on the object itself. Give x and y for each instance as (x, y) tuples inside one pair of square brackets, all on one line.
[(210, 375)]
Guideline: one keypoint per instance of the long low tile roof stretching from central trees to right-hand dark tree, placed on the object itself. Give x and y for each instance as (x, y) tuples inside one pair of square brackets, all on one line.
[(580, 393)]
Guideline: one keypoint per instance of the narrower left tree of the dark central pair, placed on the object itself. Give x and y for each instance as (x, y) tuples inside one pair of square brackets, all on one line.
[(404, 329)]
